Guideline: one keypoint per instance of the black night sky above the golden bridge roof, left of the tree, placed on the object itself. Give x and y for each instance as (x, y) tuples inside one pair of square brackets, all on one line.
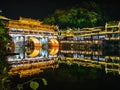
[(32, 8)]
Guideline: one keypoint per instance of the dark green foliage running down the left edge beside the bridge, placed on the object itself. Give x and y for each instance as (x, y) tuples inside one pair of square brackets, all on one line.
[(4, 66)]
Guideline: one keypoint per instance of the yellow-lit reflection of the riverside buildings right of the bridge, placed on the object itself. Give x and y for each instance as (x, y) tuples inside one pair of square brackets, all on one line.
[(97, 59)]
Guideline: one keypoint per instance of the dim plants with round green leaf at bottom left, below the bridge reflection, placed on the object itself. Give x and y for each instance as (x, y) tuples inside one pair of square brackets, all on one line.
[(31, 83)]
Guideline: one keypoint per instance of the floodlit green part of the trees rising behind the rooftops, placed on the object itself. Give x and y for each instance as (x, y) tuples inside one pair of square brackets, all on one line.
[(74, 17)]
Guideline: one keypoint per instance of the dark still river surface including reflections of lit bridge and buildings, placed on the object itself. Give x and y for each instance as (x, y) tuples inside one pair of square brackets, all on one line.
[(67, 68)]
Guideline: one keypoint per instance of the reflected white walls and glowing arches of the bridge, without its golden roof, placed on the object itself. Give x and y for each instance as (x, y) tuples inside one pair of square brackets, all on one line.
[(33, 53)]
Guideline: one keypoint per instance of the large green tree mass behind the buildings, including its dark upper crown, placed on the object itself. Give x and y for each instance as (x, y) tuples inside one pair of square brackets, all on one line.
[(77, 17)]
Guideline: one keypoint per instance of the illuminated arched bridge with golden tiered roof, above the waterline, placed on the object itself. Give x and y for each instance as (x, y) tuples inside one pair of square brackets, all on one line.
[(31, 33)]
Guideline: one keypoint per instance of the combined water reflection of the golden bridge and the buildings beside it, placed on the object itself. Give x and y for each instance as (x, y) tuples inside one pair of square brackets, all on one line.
[(33, 60)]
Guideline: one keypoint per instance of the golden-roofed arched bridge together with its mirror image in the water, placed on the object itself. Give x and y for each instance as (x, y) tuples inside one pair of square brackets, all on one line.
[(34, 46)]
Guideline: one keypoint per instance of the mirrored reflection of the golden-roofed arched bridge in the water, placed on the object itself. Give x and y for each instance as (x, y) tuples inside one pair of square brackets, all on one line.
[(32, 60)]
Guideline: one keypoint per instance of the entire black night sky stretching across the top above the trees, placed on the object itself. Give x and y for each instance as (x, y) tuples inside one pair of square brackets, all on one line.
[(39, 9)]
